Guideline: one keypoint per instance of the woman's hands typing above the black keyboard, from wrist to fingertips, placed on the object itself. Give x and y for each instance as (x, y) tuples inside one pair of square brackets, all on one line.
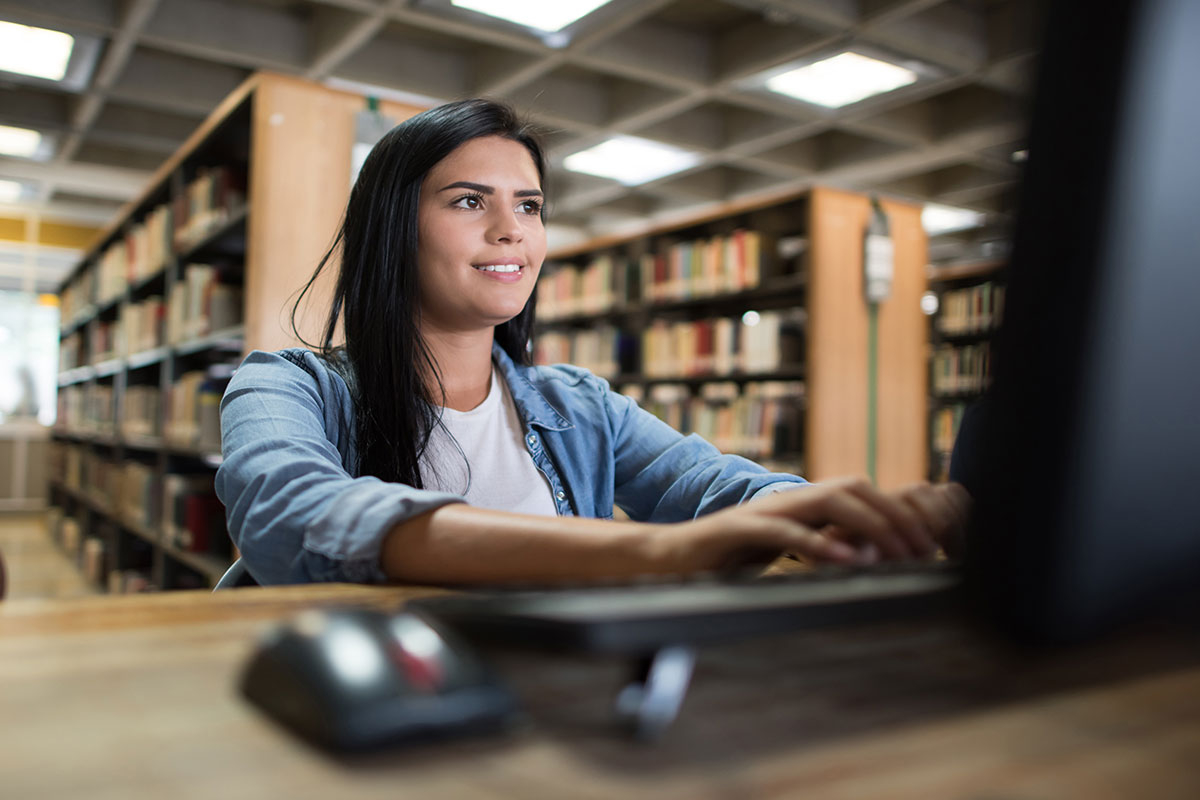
[(845, 521)]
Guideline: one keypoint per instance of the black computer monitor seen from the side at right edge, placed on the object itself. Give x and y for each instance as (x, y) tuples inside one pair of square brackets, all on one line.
[(1088, 461)]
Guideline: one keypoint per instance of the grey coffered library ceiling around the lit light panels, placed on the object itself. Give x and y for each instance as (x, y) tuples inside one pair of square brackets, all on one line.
[(691, 74)]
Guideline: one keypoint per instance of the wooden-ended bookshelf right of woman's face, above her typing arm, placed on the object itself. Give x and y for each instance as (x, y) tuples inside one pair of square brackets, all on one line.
[(811, 278)]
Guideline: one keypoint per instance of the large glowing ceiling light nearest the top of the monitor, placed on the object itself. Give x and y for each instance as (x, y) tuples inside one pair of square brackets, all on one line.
[(842, 80)]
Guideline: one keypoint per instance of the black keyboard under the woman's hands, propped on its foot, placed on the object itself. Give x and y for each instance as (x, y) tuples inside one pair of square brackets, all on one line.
[(644, 617)]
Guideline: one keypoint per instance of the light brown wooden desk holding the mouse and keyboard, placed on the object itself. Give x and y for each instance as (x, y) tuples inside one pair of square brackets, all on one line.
[(135, 697)]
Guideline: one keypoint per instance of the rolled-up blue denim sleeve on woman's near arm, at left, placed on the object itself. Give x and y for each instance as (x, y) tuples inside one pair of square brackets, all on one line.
[(293, 509)]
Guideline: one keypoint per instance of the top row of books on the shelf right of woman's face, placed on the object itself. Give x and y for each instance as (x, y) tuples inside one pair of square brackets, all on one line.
[(692, 269)]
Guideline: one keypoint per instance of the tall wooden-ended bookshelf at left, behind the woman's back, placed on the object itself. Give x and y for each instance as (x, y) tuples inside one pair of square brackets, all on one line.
[(277, 160)]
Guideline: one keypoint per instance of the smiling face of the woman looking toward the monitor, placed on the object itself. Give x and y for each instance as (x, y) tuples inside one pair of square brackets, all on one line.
[(482, 242)]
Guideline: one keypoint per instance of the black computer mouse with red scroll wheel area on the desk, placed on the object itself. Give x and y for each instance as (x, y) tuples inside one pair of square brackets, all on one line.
[(358, 679)]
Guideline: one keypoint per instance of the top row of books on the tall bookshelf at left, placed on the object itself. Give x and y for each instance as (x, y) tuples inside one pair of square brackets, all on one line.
[(213, 197)]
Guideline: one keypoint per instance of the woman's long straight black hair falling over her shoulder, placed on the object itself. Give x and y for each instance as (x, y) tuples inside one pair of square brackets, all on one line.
[(389, 370)]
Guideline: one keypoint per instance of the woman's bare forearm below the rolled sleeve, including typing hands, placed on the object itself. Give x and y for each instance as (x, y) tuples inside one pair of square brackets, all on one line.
[(841, 521)]
